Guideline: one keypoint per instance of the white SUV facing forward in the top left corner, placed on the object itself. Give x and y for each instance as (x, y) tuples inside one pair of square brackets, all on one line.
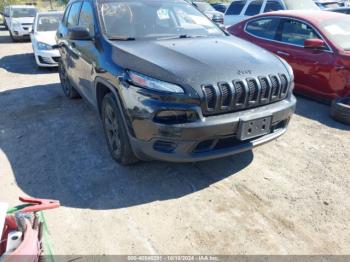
[(19, 20)]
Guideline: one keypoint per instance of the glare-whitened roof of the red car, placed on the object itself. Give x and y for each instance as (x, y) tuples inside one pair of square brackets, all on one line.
[(312, 16)]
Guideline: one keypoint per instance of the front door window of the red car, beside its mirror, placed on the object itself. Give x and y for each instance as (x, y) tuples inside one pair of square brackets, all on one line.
[(295, 32)]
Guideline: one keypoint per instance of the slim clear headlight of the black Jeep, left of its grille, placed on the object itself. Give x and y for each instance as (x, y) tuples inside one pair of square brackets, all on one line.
[(153, 84)]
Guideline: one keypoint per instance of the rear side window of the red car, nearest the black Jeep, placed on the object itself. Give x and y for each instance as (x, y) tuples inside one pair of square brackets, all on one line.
[(264, 28)]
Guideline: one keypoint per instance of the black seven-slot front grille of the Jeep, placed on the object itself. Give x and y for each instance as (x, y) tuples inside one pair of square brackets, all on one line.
[(242, 94)]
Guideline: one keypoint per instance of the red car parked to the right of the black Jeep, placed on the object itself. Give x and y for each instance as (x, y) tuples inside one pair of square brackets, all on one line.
[(315, 43)]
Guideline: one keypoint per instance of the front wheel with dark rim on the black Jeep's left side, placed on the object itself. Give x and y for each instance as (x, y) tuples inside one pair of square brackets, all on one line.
[(115, 132)]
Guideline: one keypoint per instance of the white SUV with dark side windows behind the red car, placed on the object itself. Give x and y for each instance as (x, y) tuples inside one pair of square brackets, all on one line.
[(243, 9)]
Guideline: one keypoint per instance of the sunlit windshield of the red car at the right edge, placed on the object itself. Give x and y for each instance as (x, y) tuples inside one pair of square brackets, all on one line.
[(338, 31)]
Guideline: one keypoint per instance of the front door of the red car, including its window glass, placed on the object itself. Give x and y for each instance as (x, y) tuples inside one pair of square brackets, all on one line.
[(312, 68)]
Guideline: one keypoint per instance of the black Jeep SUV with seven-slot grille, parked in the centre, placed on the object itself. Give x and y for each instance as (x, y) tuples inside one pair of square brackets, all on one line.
[(168, 83)]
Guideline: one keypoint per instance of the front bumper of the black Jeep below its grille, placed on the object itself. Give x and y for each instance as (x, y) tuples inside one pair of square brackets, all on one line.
[(207, 138)]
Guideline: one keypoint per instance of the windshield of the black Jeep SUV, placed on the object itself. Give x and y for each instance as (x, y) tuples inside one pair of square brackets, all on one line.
[(135, 19)]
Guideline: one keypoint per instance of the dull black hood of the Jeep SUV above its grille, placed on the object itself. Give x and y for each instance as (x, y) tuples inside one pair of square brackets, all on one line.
[(197, 61)]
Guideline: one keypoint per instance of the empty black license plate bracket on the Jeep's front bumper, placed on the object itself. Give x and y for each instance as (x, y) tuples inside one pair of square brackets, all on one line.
[(253, 128)]
